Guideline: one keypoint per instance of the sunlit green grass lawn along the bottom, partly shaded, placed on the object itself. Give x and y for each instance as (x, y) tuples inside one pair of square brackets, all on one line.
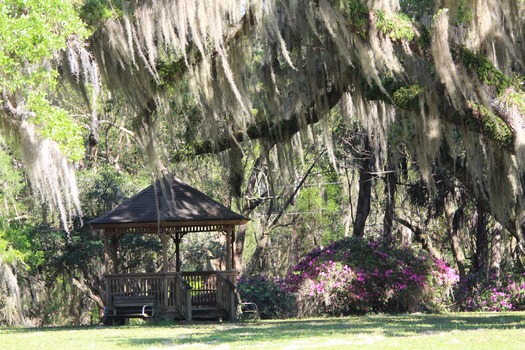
[(447, 331)]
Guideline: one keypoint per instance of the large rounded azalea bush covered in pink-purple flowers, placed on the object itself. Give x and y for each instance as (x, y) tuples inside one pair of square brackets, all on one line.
[(357, 276)]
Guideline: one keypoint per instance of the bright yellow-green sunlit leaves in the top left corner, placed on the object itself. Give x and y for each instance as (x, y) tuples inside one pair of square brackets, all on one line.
[(32, 33)]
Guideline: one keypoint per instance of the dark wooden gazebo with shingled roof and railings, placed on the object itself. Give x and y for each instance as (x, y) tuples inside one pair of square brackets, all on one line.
[(170, 209)]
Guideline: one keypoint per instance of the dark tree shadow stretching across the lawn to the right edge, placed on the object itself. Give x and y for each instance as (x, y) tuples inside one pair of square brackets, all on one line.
[(388, 326)]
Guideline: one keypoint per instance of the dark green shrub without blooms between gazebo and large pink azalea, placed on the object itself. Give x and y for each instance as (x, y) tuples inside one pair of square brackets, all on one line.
[(272, 300)]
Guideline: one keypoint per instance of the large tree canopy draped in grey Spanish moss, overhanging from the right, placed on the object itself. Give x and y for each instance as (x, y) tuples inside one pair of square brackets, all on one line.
[(442, 78)]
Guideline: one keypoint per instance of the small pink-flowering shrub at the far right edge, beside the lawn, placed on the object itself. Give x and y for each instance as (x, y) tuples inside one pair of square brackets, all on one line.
[(478, 294)]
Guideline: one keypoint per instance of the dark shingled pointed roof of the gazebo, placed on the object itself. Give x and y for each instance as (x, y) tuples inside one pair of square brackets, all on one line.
[(168, 202)]
